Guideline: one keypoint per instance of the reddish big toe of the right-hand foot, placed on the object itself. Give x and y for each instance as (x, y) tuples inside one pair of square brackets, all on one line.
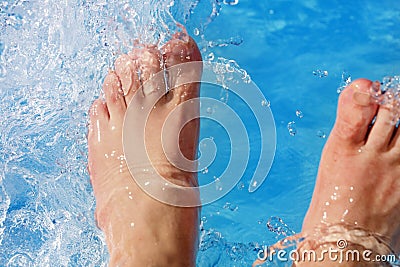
[(355, 113)]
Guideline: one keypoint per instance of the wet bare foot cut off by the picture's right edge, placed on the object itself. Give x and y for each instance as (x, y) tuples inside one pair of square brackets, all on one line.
[(358, 181)]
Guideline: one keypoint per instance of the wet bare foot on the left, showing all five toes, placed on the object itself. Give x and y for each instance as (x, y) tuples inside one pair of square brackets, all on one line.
[(141, 231)]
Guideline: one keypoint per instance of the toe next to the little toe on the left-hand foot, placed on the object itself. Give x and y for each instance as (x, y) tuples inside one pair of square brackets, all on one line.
[(114, 96)]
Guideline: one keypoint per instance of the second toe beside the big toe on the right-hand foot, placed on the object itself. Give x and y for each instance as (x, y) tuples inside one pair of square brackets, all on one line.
[(382, 130)]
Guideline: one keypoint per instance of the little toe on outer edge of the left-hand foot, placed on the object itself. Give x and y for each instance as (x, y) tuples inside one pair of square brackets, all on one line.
[(98, 118)]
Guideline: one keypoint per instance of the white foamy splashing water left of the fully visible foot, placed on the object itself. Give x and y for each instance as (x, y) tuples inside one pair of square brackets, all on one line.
[(53, 58)]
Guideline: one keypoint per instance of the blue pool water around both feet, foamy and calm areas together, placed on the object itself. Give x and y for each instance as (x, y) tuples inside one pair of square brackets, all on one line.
[(53, 56)]
